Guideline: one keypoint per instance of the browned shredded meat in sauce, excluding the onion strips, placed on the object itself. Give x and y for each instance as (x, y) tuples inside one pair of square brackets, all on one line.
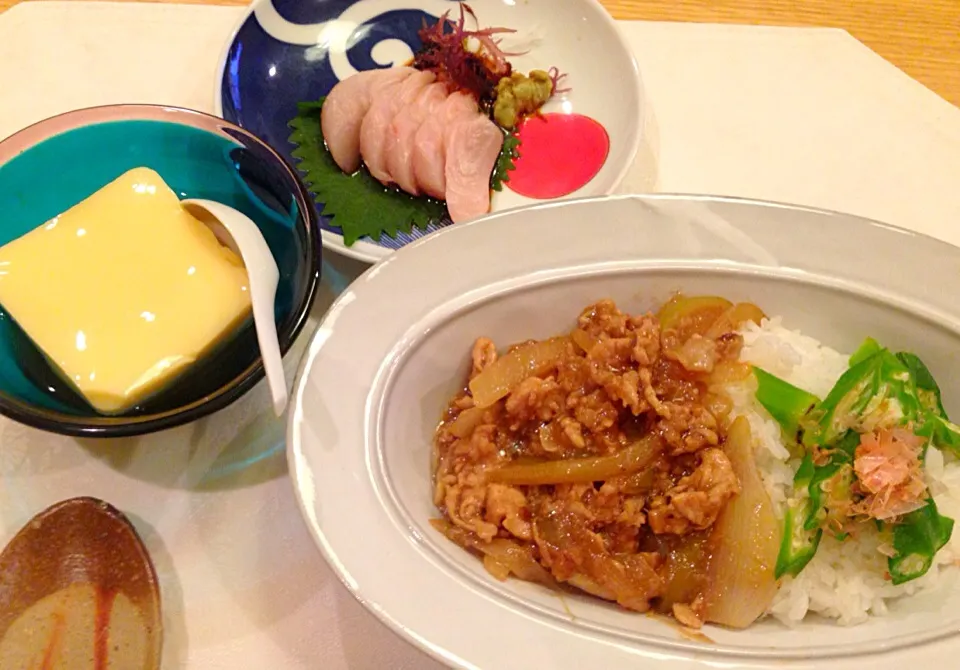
[(621, 378)]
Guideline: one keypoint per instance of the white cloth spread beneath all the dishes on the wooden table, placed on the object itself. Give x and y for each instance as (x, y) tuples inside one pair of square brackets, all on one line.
[(799, 115)]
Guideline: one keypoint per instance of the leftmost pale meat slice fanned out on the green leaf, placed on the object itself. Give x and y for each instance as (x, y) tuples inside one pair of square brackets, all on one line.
[(344, 109)]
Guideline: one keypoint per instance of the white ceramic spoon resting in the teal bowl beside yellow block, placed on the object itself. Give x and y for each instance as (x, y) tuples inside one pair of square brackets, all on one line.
[(235, 230)]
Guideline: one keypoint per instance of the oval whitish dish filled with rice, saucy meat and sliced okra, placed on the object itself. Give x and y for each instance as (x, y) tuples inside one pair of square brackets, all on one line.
[(692, 431)]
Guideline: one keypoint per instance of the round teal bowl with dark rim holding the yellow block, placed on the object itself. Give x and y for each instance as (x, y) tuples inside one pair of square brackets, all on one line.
[(47, 168)]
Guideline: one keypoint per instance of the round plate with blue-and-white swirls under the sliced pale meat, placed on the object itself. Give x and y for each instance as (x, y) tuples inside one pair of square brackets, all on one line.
[(290, 51)]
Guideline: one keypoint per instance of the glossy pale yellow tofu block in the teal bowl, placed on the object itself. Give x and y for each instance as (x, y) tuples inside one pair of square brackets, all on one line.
[(124, 291)]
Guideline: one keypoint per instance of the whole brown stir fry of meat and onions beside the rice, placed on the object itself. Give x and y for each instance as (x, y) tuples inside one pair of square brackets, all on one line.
[(604, 459)]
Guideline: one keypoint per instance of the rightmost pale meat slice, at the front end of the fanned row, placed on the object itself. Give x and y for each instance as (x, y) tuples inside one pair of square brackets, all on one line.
[(472, 147)]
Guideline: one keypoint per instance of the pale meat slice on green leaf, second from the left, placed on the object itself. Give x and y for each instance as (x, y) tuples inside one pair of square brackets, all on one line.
[(387, 102)]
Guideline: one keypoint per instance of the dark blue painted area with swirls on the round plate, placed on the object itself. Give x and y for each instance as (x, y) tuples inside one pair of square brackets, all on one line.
[(264, 77)]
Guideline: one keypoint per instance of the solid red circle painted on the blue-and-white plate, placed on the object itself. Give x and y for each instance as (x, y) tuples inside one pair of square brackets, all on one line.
[(559, 153)]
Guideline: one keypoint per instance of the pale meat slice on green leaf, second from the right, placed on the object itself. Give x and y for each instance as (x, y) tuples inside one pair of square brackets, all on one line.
[(429, 155)]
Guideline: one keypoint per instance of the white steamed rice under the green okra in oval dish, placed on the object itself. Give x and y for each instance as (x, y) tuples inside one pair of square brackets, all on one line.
[(845, 580)]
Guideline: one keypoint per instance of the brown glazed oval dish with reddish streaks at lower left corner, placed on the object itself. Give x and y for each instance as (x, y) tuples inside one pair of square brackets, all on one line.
[(78, 591)]
